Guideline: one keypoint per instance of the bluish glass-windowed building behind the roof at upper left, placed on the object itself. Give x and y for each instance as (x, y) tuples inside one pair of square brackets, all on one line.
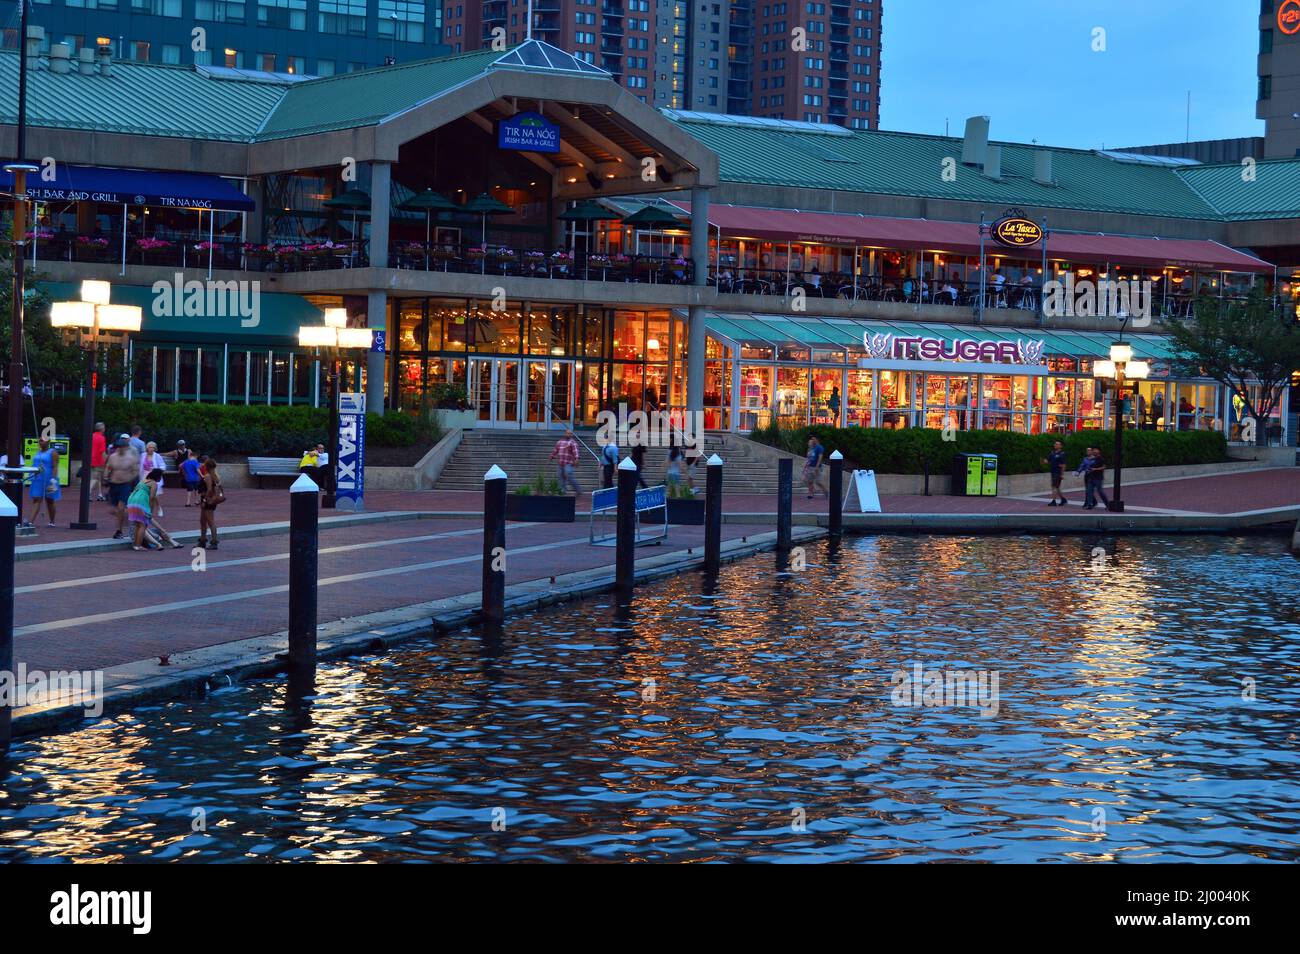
[(298, 37)]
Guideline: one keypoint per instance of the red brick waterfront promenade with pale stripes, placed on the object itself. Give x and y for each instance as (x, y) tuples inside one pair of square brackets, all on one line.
[(94, 610)]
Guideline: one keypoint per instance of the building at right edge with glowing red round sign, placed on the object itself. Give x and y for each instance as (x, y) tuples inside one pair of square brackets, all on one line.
[(1279, 98)]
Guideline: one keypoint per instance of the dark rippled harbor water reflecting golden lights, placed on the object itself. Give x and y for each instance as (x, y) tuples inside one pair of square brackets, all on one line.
[(756, 722)]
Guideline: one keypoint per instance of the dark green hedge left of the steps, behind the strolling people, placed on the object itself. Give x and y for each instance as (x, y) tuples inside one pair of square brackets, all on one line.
[(228, 430)]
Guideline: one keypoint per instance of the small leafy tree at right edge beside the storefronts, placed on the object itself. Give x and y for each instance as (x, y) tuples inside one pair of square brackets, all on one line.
[(1240, 345)]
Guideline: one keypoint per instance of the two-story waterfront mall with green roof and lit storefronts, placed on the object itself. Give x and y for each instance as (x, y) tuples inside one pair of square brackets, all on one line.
[(525, 229)]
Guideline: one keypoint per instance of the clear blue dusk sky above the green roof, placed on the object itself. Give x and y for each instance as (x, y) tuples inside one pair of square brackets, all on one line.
[(1030, 66)]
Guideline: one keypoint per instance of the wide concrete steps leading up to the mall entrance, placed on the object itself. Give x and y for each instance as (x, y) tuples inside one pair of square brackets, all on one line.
[(523, 454)]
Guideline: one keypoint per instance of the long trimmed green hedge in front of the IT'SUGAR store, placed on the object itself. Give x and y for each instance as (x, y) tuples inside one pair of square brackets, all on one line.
[(905, 452)]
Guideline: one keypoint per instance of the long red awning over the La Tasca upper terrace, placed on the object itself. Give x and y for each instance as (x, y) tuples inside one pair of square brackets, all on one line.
[(963, 238)]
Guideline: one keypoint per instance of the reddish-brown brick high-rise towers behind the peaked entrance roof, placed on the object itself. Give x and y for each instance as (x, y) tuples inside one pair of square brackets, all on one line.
[(812, 62)]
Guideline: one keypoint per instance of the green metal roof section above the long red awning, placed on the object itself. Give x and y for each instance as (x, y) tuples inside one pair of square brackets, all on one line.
[(876, 162)]
